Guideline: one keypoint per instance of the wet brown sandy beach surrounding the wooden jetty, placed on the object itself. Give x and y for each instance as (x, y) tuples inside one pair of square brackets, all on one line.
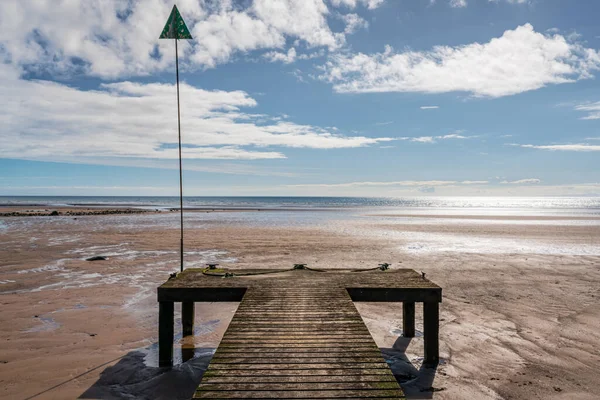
[(519, 317)]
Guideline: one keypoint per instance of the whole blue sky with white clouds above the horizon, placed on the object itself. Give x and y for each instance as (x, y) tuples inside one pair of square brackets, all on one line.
[(301, 97)]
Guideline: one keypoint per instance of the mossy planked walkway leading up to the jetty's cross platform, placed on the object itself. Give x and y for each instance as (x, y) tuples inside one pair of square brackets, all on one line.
[(293, 343)]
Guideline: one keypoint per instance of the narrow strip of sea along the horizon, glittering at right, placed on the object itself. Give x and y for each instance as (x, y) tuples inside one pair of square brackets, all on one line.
[(476, 205)]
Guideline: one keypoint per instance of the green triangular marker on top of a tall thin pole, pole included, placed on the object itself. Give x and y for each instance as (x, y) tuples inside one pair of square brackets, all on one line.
[(175, 28)]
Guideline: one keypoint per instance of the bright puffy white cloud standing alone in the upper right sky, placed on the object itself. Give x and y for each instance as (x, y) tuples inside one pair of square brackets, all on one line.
[(518, 61)]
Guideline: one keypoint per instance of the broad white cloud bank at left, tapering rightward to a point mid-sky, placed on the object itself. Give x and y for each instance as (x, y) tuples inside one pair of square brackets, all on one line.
[(47, 120)]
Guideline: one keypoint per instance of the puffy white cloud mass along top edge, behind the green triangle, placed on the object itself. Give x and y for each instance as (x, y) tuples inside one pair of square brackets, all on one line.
[(117, 38)]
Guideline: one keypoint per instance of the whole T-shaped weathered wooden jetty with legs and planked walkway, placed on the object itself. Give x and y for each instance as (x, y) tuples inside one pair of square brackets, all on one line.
[(296, 333)]
